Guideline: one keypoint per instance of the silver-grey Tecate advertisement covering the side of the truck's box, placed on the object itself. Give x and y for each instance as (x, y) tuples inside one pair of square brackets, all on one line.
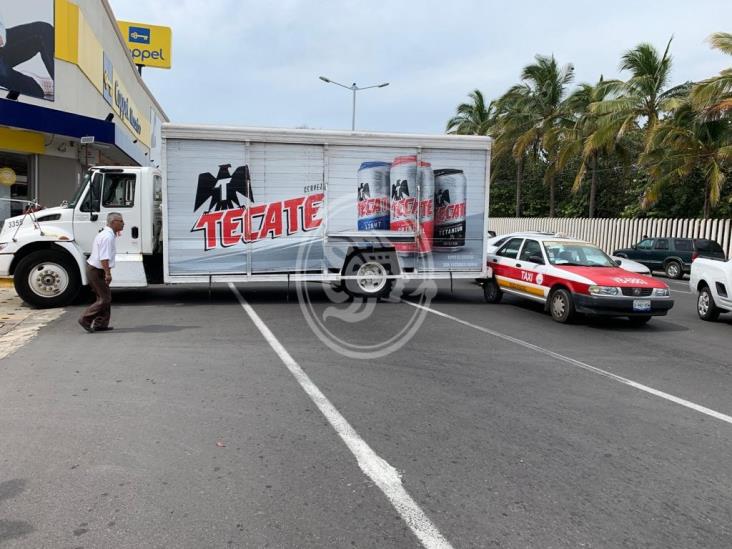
[(236, 208)]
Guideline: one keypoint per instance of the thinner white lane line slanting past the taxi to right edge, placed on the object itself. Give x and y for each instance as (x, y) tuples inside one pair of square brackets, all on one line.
[(584, 366)]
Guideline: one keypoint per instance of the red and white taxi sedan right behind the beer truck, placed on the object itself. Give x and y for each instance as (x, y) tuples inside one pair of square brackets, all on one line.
[(571, 276)]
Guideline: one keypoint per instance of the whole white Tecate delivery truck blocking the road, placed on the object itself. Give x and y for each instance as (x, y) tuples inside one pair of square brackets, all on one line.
[(353, 209)]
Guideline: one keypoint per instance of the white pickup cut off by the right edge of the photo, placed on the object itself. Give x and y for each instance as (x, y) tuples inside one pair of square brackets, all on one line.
[(712, 279)]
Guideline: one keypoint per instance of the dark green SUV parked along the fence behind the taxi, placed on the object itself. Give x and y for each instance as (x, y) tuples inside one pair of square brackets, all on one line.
[(672, 255)]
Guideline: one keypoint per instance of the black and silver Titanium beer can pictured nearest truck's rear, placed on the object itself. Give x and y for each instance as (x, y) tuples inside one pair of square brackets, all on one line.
[(450, 210)]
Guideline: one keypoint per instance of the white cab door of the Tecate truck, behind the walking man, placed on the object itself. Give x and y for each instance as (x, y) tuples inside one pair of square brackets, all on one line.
[(114, 191)]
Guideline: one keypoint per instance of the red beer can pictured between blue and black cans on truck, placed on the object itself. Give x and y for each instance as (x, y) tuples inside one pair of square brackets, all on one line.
[(407, 206)]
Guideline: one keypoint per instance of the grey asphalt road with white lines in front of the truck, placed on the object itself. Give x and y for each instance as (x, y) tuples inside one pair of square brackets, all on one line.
[(185, 427)]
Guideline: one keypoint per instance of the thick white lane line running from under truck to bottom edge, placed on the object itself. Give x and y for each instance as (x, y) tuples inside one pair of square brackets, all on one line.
[(386, 477)]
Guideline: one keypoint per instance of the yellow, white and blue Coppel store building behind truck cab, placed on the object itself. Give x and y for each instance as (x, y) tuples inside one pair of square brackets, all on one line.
[(71, 97)]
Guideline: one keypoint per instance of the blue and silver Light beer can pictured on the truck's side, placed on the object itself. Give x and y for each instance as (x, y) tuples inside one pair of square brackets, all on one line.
[(373, 196)]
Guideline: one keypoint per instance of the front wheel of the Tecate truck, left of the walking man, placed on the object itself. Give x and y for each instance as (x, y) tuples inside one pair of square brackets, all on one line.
[(47, 278)]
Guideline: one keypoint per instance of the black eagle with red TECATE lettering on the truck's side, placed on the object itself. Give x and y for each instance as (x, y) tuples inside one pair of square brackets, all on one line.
[(231, 217)]
